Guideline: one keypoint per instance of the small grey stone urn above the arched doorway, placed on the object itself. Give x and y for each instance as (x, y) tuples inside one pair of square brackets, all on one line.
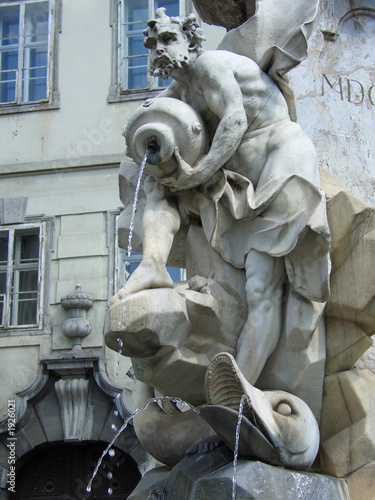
[(77, 326)]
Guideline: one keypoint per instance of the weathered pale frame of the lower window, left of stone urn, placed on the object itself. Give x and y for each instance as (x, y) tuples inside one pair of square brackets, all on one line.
[(42, 325)]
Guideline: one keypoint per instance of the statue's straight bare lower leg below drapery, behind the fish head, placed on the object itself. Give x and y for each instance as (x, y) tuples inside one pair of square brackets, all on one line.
[(261, 332)]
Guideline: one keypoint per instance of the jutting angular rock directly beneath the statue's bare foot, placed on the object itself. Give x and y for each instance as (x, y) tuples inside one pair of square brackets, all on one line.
[(173, 334)]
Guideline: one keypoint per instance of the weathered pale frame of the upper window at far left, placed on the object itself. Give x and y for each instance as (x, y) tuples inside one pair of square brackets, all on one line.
[(52, 100)]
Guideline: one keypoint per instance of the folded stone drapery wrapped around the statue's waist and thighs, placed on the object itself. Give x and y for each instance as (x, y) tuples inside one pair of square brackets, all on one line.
[(237, 218)]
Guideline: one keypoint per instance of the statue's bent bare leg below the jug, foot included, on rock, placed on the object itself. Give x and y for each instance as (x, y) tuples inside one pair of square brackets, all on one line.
[(161, 221)]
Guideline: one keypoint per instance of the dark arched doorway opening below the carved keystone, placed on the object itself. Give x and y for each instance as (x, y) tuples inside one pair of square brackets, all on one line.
[(61, 472)]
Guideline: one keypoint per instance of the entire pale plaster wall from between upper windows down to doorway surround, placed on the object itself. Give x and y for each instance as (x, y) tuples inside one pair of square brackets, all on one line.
[(65, 163)]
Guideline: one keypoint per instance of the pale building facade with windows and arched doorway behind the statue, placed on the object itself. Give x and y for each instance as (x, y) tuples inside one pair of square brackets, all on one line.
[(70, 74)]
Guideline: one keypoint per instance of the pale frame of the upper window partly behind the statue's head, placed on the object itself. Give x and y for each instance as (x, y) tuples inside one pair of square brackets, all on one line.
[(116, 92)]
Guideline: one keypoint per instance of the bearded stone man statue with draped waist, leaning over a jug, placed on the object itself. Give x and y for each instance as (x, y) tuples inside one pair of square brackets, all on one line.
[(257, 190)]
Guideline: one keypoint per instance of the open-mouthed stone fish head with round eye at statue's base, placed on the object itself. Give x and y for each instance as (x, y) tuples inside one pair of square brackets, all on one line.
[(276, 427)]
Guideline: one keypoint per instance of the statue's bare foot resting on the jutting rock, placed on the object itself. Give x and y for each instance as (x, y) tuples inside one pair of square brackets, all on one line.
[(149, 274)]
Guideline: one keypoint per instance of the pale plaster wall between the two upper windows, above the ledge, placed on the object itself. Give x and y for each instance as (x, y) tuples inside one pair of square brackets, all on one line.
[(85, 125)]
